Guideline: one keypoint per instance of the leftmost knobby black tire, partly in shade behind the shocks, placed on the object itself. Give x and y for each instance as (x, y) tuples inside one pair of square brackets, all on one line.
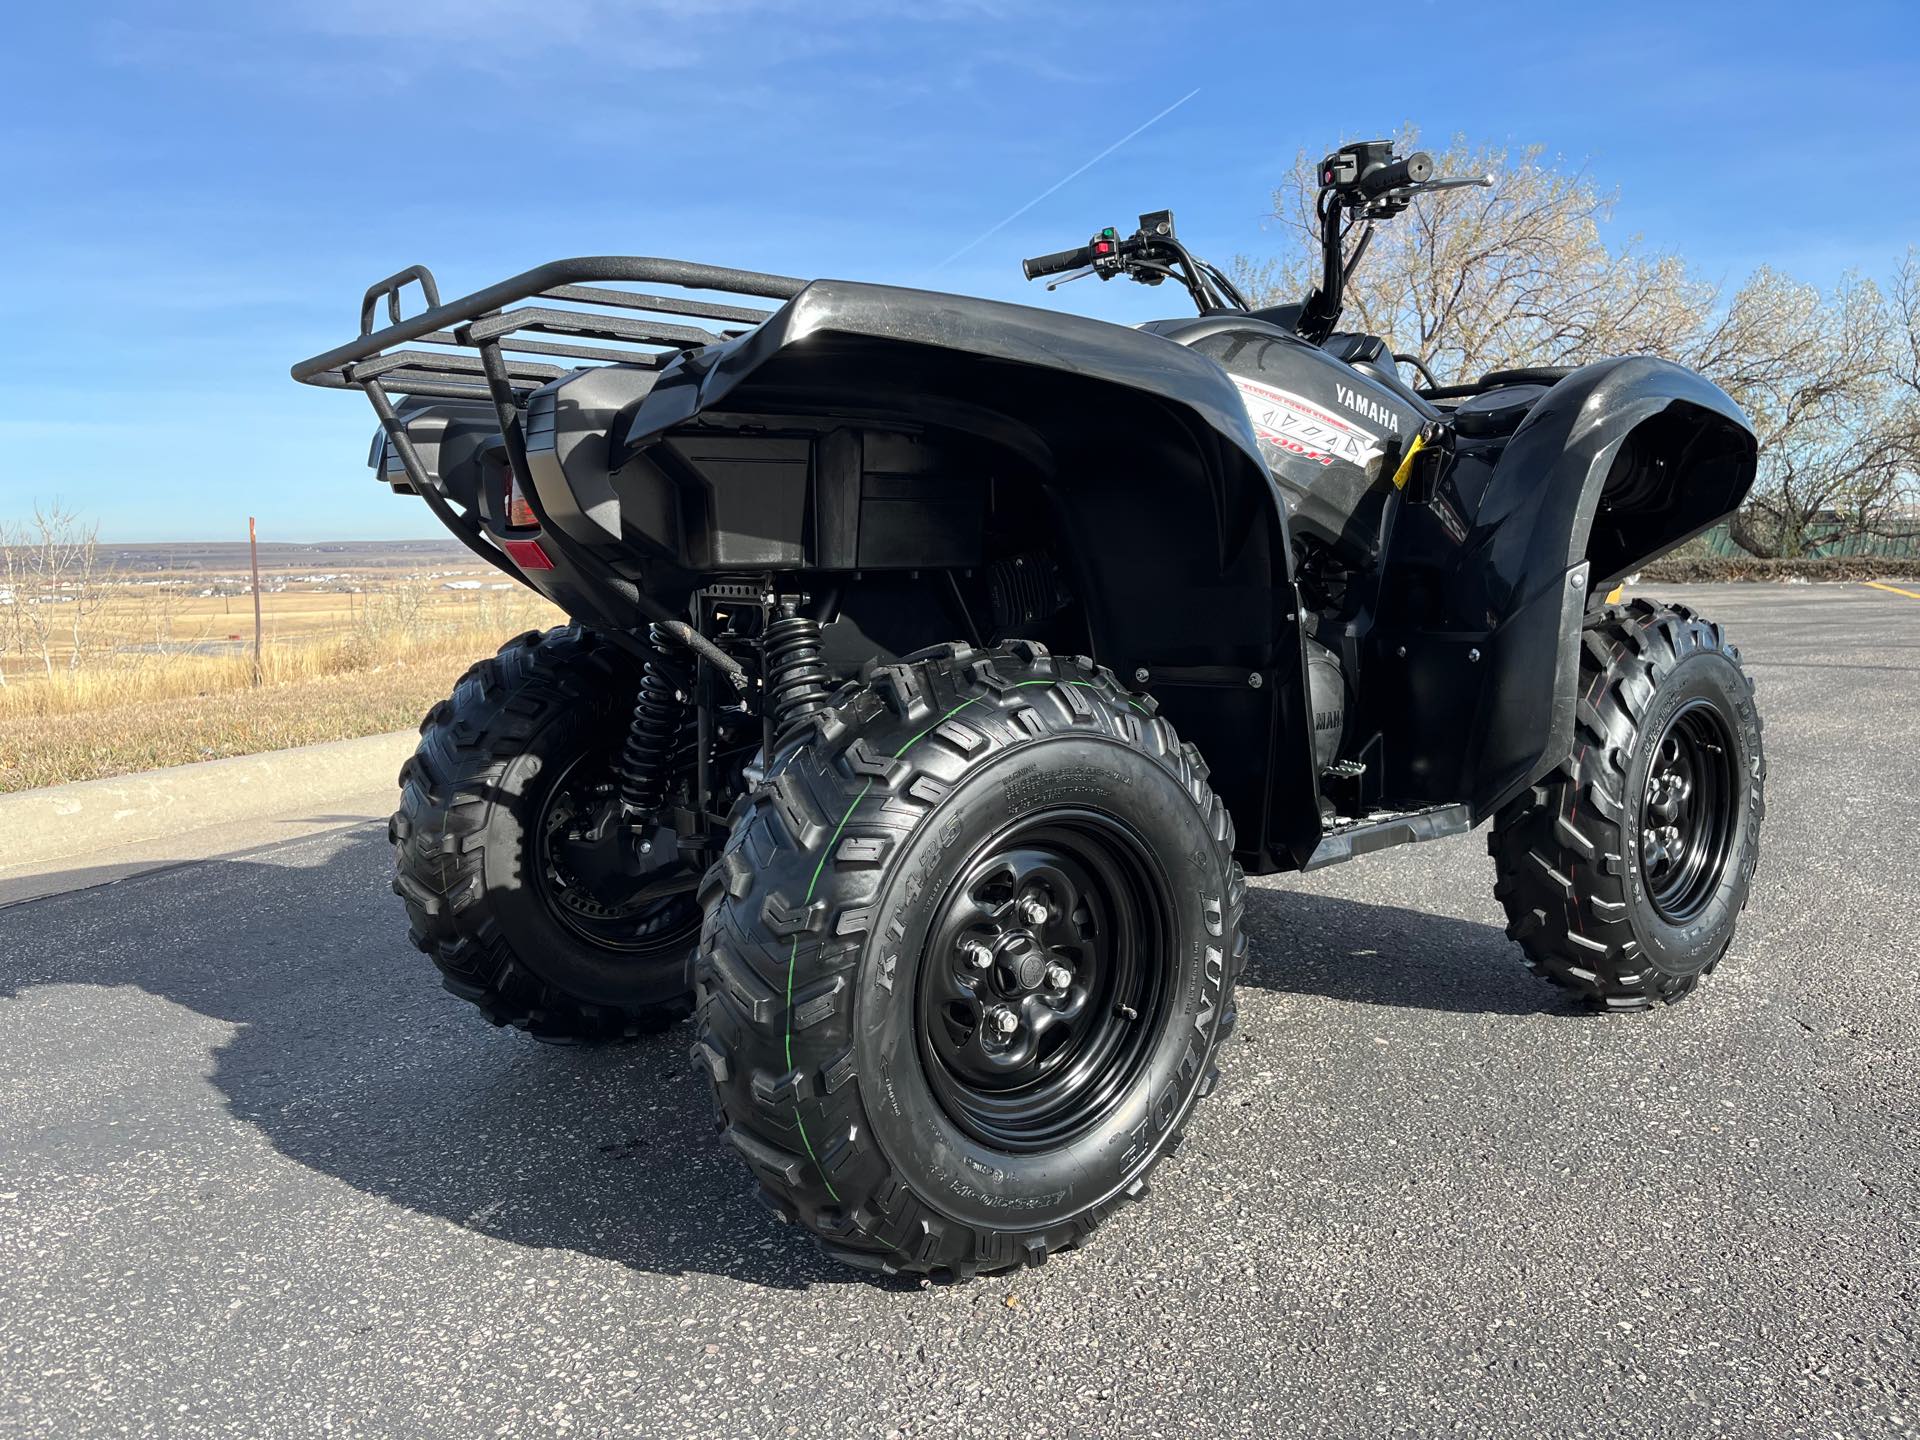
[(468, 852)]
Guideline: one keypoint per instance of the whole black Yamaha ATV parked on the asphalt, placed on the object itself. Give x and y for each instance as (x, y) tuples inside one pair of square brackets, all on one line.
[(940, 665)]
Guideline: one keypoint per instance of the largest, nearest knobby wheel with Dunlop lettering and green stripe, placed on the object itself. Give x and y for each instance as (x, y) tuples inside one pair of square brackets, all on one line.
[(926, 794)]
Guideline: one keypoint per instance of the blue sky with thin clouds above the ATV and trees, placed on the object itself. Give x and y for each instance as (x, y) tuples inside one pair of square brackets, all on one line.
[(199, 193)]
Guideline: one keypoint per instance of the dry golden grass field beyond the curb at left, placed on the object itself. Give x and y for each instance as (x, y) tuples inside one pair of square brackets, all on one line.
[(158, 669)]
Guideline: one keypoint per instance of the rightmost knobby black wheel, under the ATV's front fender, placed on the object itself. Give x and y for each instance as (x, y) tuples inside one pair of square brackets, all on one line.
[(1664, 706)]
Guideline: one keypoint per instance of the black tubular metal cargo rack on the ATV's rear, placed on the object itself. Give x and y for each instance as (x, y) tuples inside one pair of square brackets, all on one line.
[(491, 347)]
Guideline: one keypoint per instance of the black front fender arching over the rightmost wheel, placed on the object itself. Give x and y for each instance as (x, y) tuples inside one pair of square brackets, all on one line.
[(1620, 464)]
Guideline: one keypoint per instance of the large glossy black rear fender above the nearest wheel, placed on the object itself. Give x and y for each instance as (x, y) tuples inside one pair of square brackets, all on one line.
[(1140, 450)]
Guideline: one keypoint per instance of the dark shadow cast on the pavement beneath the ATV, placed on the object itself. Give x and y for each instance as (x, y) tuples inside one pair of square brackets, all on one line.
[(352, 1065)]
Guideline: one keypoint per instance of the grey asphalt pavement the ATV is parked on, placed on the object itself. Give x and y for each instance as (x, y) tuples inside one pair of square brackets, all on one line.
[(262, 1178)]
